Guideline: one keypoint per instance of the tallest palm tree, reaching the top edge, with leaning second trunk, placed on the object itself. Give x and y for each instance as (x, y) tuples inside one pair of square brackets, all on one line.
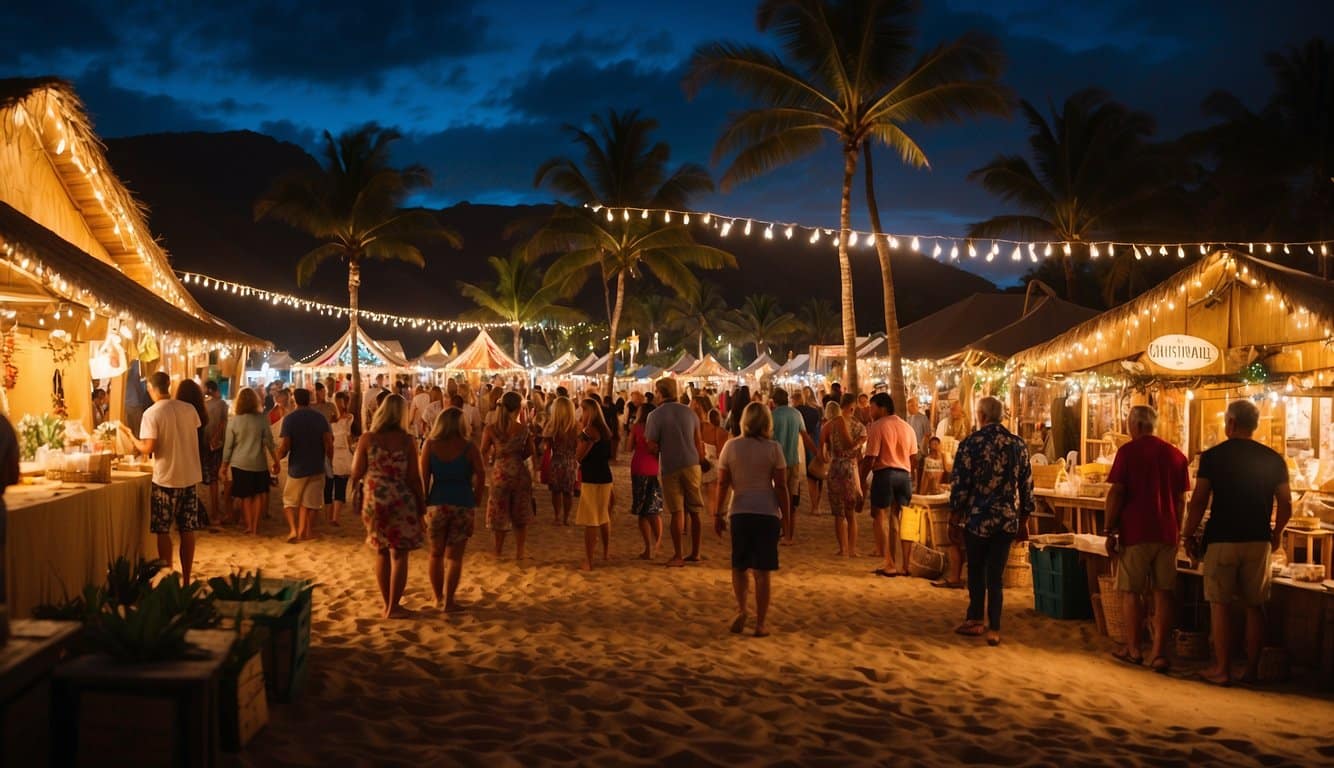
[(845, 75)]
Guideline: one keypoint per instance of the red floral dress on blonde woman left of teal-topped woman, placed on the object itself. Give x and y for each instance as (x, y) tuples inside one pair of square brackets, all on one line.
[(389, 507)]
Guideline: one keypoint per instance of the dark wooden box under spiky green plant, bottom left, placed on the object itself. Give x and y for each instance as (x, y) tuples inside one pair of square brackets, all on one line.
[(107, 713)]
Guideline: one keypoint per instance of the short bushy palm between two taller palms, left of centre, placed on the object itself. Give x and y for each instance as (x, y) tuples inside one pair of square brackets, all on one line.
[(520, 298)]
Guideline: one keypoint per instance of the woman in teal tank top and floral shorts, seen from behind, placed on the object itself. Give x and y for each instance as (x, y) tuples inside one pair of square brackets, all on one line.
[(456, 479)]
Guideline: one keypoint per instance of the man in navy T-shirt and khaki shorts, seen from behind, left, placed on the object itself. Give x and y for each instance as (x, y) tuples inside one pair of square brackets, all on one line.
[(307, 443)]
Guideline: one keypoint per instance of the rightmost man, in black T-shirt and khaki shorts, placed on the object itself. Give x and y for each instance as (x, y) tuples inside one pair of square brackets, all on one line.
[(1240, 481)]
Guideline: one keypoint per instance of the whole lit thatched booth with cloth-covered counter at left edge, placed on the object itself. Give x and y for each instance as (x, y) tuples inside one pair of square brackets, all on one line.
[(89, 307)]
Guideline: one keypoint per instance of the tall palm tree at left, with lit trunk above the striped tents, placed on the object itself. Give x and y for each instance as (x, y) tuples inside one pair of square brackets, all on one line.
[(353, 205)]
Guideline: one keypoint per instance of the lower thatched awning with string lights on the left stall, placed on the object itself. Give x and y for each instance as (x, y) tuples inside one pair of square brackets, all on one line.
[(103, 287)]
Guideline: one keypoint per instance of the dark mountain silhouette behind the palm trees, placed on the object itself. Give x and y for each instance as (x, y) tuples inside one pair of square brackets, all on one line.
[(201, 190)]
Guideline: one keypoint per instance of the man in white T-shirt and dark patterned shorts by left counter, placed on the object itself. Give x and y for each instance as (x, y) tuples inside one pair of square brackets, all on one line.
[(170, 431)]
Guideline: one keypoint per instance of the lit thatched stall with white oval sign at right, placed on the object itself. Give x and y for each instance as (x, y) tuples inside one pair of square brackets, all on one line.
[(1228, 327)]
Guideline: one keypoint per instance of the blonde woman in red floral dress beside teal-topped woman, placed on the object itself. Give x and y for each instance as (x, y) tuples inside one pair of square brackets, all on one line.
[(392, 499)]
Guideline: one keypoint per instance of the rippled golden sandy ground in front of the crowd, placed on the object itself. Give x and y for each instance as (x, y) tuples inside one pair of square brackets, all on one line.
[(634, 666)]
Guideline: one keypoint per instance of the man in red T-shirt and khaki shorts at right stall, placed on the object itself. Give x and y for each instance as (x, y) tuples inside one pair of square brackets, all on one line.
[(1149, 482)]
